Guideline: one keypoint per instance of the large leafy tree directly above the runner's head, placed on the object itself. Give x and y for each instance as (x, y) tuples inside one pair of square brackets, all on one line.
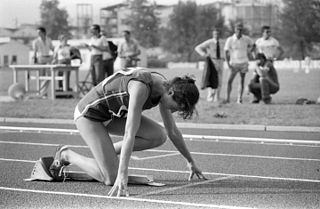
[(189, 25)]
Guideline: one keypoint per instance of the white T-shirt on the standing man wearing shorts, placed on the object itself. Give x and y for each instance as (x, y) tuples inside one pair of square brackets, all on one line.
[(238, 48)]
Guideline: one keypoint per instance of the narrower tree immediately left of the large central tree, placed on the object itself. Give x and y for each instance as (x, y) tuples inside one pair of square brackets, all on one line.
[(144, 22)]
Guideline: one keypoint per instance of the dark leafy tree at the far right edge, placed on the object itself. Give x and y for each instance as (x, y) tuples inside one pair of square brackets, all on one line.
[(300, 26)]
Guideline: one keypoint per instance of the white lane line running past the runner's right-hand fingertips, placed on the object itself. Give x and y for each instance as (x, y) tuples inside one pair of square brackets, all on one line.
[(205, 173)]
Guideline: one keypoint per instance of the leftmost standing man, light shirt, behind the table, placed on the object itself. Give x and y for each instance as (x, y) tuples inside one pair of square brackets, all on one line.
[(42, 49)]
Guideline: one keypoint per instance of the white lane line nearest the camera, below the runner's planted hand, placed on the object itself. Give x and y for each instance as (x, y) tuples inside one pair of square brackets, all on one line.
[(167, 202)]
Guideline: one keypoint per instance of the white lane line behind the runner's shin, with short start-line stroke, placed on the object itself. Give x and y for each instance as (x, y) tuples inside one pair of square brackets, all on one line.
[(175, 153)]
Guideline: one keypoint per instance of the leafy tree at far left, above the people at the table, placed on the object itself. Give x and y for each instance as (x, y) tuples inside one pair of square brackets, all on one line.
[(55, 20)]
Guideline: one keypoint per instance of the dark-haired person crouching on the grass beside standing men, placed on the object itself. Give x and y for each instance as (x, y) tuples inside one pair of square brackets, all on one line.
[(264, 81)]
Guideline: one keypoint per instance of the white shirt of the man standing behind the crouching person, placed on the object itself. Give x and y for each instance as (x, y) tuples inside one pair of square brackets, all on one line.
[(268, 47)]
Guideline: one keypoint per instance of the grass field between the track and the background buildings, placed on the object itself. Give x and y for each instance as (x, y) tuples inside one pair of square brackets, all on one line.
[(283, 111)]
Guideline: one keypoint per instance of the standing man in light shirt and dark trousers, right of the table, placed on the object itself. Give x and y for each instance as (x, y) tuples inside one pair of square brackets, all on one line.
[(98, 44)]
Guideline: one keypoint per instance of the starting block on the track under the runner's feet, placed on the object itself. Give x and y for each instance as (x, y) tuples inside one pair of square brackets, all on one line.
[(40, 172)]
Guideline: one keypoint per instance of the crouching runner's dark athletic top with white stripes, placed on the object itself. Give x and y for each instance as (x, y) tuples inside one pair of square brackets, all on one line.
[(110, 98)]
